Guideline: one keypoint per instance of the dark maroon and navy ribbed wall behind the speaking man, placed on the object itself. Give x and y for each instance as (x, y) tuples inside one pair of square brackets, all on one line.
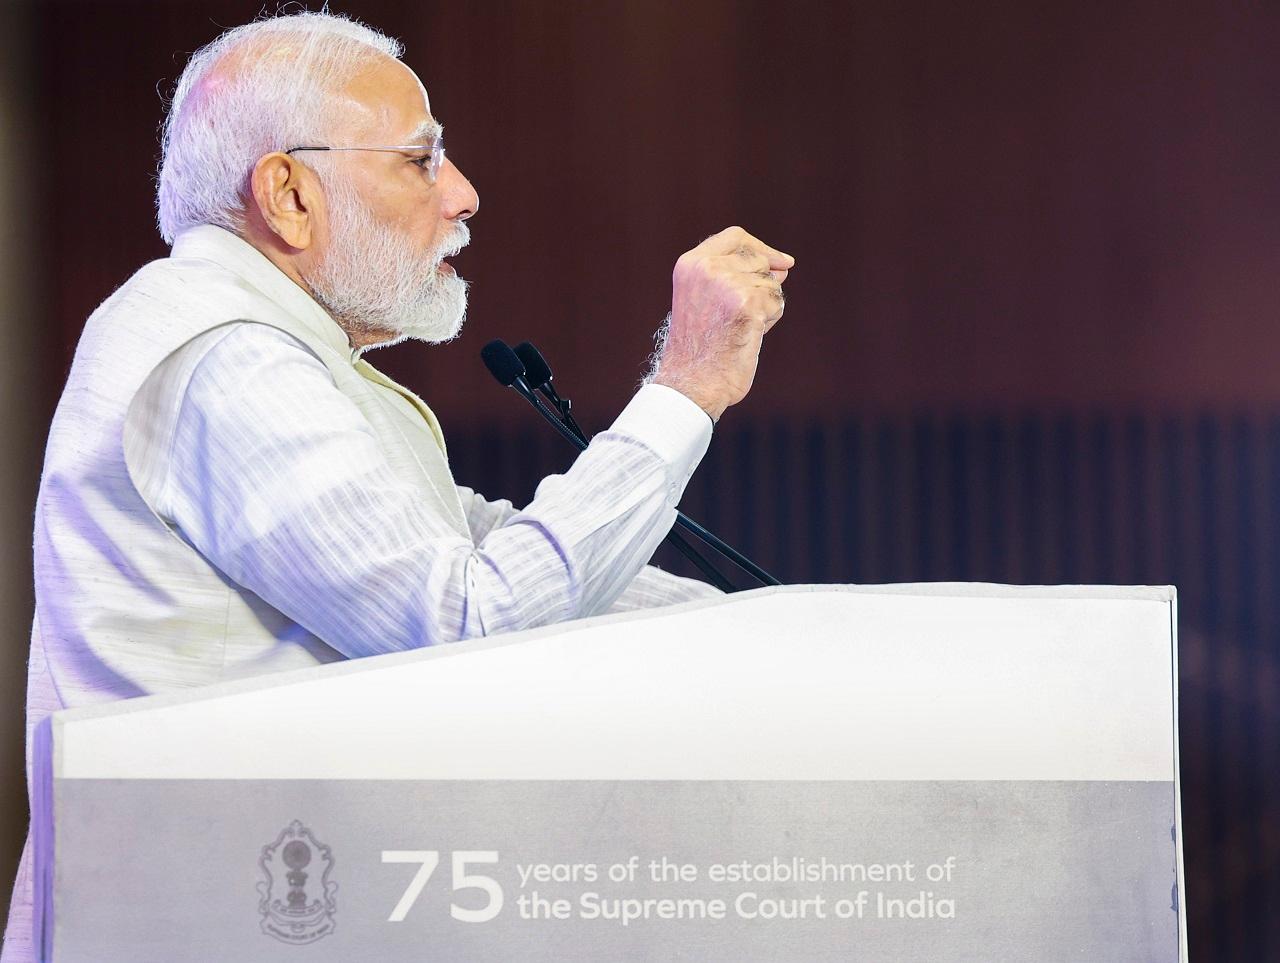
[(1031, 335)]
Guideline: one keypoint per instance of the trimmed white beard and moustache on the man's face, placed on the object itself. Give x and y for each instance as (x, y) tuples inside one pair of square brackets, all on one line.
[(376, 285)]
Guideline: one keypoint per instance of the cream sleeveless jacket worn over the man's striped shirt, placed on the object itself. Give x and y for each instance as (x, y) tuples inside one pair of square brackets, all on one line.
[(162, 617)]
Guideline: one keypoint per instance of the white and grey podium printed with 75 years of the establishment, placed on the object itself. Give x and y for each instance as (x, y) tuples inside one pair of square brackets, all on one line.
[(897, 773)]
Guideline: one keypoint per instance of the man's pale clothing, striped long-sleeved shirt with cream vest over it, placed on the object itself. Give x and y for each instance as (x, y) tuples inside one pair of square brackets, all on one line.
[(230, 491)]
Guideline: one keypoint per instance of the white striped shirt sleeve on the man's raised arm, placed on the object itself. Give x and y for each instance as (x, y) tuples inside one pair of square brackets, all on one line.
[(277, 480)]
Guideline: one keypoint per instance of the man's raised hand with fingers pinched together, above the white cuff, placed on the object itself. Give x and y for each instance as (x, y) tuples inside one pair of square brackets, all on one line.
[(726, 294)]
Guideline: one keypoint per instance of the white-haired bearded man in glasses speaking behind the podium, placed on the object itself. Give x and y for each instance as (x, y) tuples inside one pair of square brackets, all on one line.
[(231, 489)]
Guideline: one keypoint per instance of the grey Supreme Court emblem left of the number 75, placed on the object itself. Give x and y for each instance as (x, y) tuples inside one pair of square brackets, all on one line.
[(298, 897)]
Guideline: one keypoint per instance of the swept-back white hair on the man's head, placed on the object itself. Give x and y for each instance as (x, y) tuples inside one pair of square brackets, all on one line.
[(276, 95)]
